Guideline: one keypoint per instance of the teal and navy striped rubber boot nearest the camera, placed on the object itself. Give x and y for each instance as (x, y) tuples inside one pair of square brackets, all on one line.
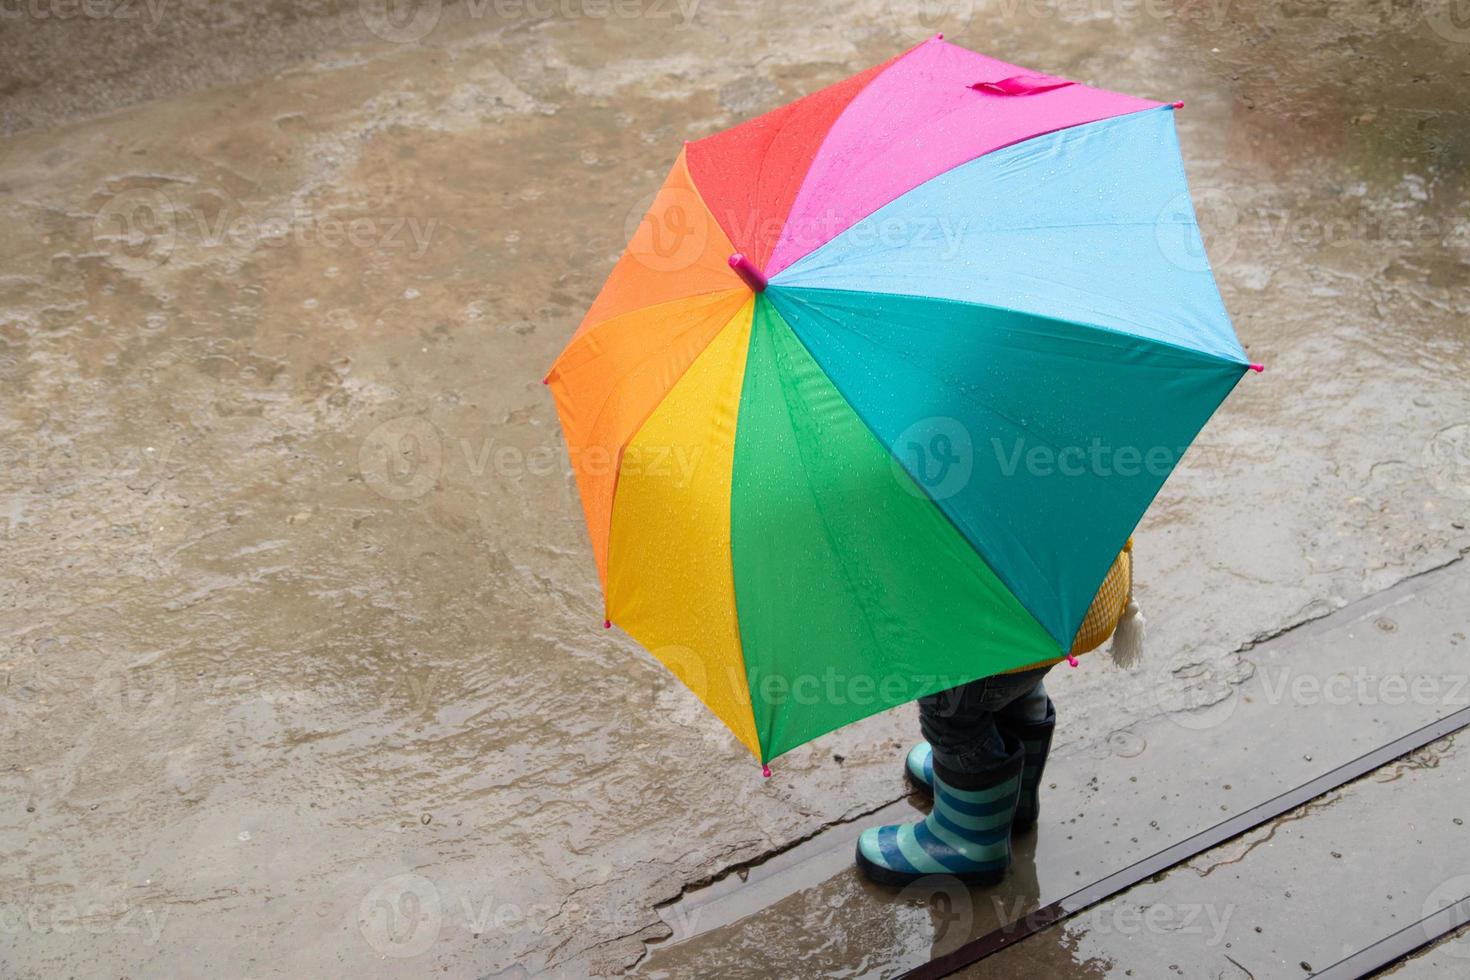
[(965, 837)]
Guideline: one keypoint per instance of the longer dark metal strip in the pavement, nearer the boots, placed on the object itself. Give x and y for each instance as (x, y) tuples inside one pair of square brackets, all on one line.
[(1175, 854)]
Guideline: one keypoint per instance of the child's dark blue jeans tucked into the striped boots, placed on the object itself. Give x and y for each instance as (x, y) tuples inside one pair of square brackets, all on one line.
[(961, 722)]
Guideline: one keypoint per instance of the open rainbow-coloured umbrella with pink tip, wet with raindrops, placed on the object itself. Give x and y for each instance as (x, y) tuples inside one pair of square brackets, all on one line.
[(883, 384)]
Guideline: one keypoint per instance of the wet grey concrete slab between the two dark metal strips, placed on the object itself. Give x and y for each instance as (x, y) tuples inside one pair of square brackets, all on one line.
[(1296, 897)]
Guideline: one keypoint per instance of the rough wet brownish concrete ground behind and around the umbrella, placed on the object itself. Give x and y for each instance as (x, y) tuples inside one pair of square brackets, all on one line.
[(304, 672)]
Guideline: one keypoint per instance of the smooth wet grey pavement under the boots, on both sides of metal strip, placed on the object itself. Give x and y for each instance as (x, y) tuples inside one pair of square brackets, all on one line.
[(1313, 700)]
